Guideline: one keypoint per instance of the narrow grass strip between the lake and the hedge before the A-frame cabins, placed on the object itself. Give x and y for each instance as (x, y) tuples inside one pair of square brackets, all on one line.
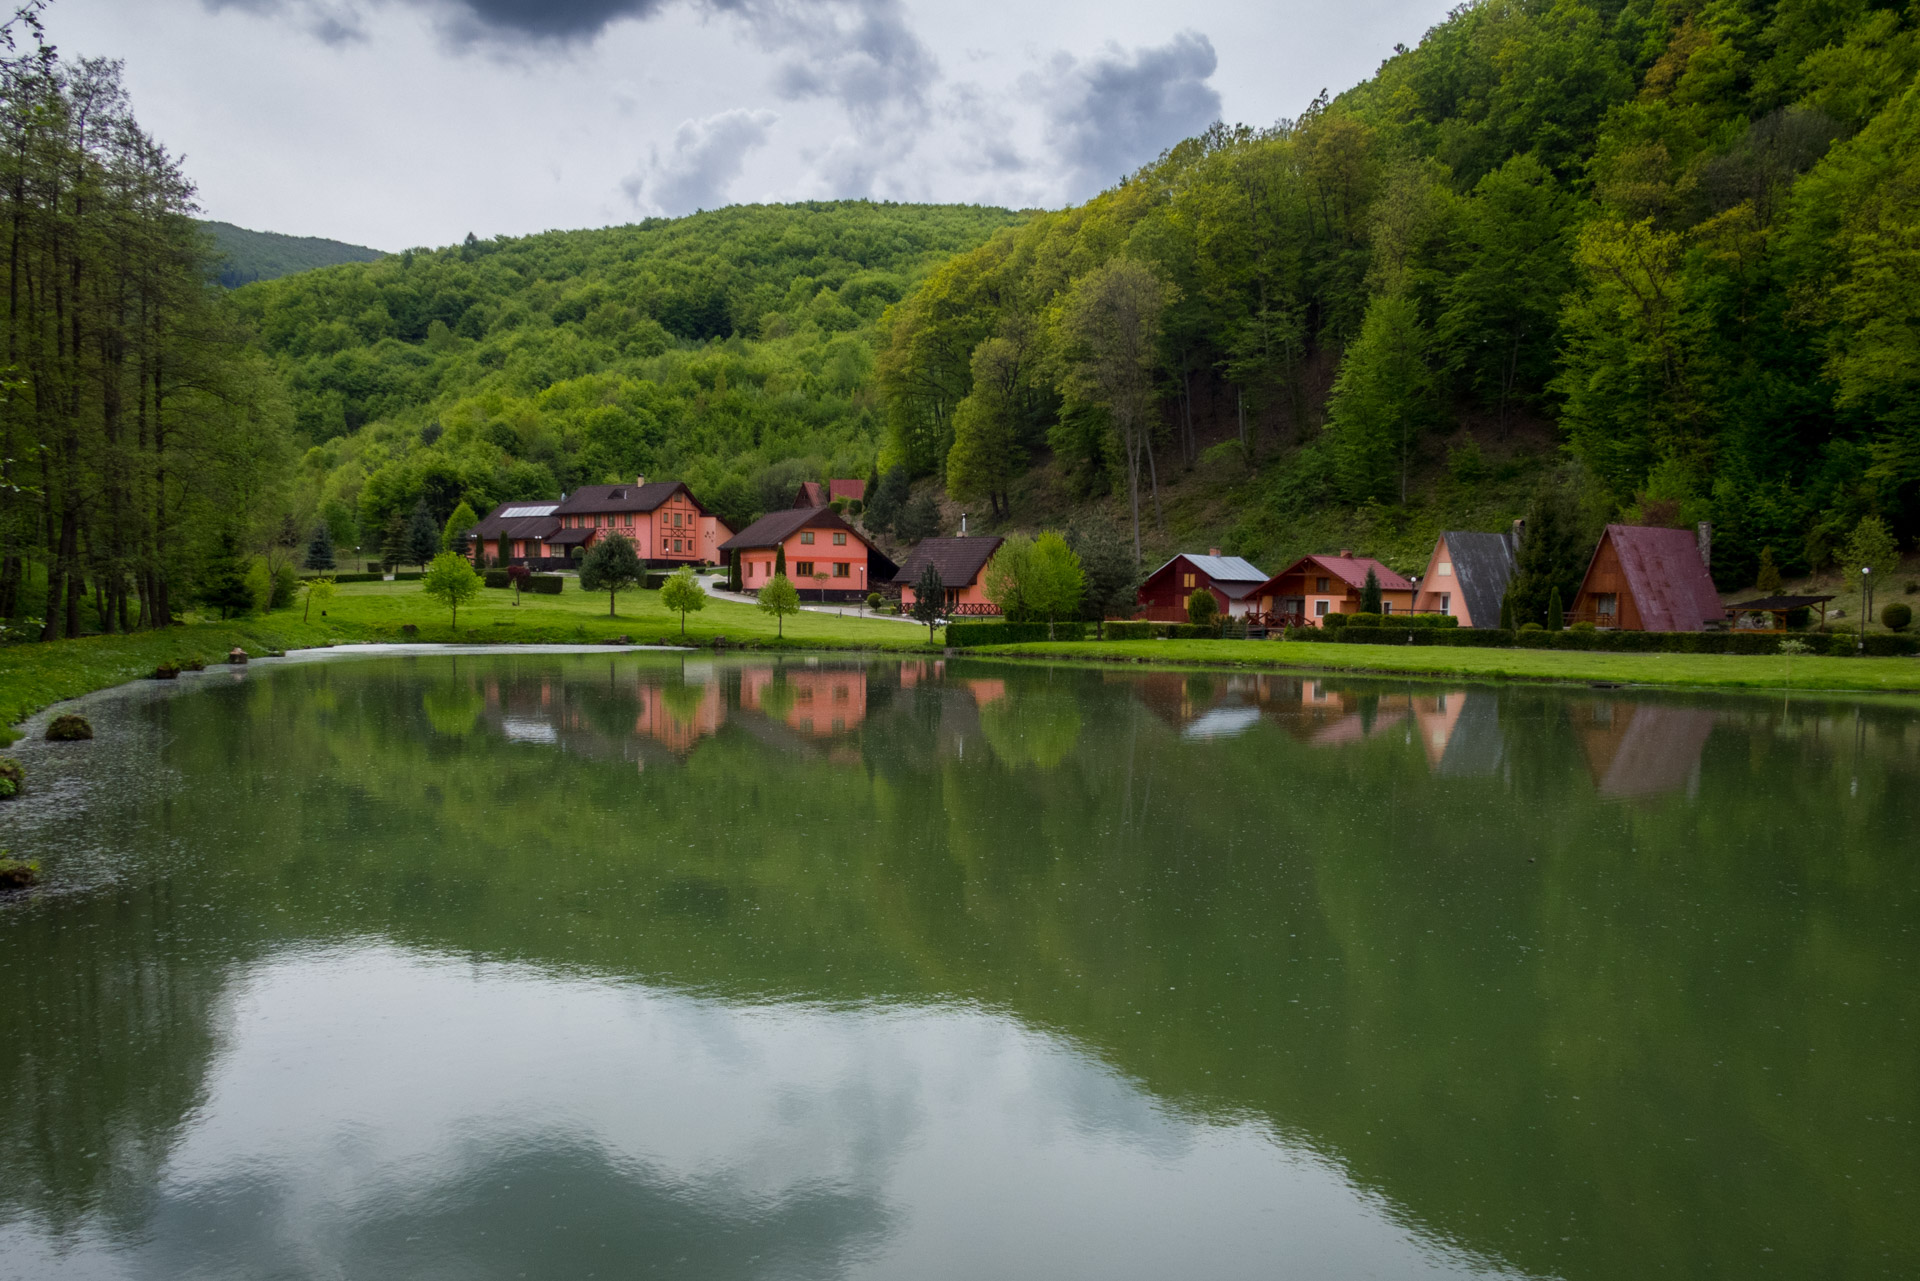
[(1629, 669)]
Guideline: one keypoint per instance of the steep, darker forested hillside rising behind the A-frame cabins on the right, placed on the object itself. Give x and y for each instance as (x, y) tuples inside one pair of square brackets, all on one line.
[(1660, 256)]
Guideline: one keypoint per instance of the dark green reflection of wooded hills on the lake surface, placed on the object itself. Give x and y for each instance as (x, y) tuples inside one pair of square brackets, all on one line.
[(1351, 942)]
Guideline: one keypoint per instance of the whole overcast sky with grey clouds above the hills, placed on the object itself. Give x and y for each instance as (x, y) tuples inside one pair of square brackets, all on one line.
[(414, 122)]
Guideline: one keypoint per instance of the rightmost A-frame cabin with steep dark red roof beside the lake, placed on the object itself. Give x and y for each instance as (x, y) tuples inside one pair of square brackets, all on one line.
[(1646, 579)]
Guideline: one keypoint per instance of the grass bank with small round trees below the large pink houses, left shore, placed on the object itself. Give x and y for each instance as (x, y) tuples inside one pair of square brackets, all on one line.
[(34, 677)]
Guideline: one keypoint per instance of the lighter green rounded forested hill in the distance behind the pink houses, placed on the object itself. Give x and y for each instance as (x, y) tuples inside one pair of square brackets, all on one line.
[(731, 350)]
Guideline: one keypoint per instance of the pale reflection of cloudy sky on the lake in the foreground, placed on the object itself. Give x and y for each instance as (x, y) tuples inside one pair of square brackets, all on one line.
[(481, 1121)]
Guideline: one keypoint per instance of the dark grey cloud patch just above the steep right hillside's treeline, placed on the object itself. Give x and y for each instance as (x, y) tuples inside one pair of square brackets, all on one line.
[(1113, 114)]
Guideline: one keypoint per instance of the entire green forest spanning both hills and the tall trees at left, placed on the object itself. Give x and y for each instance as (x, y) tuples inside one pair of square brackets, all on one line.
[(1646, 262)]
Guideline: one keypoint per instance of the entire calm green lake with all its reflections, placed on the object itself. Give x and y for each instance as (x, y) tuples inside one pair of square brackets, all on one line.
[(612, 965)]
